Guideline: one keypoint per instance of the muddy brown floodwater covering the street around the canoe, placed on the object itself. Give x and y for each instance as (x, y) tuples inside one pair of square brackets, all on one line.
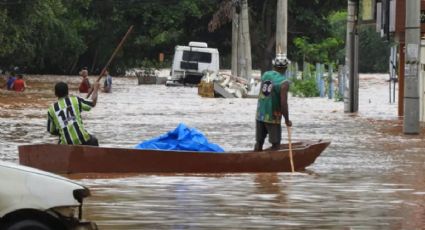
[(370, 177)]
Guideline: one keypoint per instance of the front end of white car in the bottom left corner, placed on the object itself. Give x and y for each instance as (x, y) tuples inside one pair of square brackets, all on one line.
[(38, 200)]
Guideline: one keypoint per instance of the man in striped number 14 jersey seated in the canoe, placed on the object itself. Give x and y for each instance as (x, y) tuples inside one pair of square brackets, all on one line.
[(64, 117)]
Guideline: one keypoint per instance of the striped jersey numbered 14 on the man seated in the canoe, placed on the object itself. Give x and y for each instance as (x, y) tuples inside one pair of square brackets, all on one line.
[(64, 119)]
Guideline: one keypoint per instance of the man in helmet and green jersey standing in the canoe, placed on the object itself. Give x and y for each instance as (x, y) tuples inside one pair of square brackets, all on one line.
[(272, 104)]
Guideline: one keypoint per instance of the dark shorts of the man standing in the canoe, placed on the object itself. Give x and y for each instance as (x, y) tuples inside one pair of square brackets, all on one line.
[(273, 130)]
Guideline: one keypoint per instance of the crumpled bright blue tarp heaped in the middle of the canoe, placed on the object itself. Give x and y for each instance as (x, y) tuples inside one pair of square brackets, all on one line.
[(182, 138)]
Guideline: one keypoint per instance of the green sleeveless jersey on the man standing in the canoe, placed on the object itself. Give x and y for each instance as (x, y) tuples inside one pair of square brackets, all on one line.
[(268, 108)]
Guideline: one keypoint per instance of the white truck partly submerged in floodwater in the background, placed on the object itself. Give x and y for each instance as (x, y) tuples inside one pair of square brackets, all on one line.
[(190, 63)]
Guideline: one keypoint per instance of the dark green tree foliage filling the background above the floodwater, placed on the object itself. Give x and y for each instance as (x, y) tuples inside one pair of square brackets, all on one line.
[(61, 36)]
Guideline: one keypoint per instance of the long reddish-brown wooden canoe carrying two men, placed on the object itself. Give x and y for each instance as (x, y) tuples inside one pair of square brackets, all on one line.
[(67, 159)]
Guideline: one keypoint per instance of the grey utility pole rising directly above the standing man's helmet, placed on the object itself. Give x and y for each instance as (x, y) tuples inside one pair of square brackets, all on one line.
[(282, 26)]
